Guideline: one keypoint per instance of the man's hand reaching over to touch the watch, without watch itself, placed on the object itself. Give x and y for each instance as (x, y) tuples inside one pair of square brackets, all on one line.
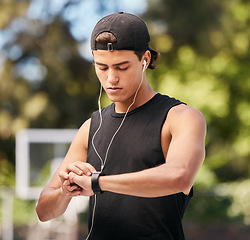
[(80, 169)]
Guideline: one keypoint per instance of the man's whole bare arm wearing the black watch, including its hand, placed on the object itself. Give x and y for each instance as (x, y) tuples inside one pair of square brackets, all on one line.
[(185, 155)]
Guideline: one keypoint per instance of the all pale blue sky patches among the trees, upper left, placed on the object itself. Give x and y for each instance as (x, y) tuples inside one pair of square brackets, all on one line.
[(81, 15)]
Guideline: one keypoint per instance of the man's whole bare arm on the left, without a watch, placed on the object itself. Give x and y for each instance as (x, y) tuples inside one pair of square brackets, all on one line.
[(54, 199)]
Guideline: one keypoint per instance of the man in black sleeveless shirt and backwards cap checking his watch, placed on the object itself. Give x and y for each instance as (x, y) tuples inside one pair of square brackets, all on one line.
[(137, 158)]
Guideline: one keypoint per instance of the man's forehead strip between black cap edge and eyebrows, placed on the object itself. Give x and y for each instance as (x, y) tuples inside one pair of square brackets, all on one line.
[(113, 57)]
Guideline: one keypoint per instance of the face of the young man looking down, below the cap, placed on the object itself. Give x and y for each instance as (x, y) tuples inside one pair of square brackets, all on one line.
[(119, 72)]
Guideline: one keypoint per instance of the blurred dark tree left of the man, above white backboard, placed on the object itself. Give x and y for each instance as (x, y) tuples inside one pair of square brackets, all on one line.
[(44, 81)]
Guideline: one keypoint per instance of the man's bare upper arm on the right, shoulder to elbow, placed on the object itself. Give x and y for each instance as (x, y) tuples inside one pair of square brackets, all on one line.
[(187, 147)]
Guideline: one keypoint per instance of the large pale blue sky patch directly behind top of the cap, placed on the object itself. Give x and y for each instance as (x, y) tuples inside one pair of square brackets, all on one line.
[(82, 14)]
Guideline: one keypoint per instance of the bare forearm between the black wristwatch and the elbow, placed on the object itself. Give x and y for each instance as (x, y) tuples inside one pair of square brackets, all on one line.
[(155, 182)]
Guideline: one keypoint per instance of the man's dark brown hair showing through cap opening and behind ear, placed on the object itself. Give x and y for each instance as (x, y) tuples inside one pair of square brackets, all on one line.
[(107, 37)]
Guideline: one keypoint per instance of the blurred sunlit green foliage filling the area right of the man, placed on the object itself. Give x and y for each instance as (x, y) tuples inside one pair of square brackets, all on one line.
[(205, 62)]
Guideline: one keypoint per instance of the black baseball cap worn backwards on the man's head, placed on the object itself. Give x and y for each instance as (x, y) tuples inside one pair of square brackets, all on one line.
[(130, 31)]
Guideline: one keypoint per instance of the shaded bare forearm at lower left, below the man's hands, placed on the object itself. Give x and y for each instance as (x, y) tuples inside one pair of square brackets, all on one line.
[(52, 204)]
